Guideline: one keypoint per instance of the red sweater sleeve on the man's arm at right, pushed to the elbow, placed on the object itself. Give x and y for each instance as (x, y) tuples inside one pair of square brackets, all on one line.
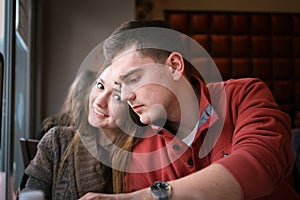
[(261, 154)]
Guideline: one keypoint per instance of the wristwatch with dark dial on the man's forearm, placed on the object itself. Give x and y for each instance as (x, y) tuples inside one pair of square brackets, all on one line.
[(161, 190)]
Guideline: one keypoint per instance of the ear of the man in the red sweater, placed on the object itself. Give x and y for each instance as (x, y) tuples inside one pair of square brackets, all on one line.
[(175, 61)]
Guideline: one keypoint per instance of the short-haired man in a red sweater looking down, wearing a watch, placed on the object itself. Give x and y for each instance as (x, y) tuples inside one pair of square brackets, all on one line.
[(220, 140)]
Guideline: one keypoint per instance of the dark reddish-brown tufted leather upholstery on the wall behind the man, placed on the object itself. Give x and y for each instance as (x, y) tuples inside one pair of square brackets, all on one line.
[(244, 44)]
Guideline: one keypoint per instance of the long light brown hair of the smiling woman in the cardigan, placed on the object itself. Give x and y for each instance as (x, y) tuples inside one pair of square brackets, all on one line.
[(124, 141)]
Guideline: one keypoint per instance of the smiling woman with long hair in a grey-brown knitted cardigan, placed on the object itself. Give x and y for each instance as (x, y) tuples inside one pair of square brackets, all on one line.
[(66, 164)]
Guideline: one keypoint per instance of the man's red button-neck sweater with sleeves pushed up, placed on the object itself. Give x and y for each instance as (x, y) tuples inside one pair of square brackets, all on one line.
[(243, 130)]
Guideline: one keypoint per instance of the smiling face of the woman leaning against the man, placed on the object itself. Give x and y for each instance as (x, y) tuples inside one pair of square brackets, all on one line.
[(105, 107)]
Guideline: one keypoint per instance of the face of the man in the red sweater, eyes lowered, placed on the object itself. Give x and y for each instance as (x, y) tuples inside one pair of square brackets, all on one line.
[(145, 85)]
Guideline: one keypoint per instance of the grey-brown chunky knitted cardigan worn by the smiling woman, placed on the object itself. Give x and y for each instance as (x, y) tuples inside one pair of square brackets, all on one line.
[(79, 174)]
